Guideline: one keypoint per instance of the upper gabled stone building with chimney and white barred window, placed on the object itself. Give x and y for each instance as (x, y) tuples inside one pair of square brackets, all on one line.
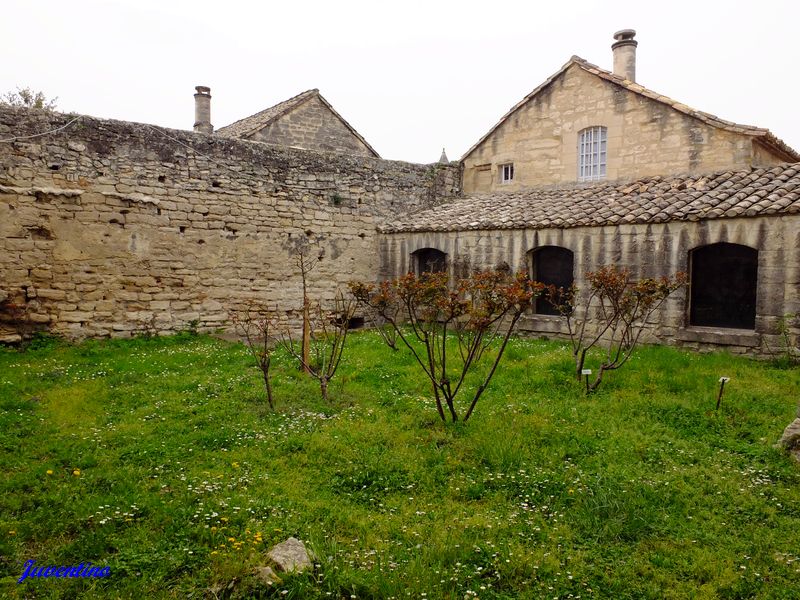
[(585, 124)]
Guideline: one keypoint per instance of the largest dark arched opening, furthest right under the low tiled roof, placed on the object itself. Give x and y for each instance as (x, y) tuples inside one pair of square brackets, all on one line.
[(723, 287)]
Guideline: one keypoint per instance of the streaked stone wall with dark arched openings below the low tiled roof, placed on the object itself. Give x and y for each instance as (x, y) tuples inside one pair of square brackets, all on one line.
[(648, 251)]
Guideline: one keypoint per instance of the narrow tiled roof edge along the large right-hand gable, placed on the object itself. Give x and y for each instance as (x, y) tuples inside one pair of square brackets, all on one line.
[(763, 135)]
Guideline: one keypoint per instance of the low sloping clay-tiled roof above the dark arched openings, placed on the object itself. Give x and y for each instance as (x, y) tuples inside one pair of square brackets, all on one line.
[(749, 193)]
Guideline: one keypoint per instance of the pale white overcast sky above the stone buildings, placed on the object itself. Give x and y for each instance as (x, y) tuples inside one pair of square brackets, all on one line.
[(410, 76)]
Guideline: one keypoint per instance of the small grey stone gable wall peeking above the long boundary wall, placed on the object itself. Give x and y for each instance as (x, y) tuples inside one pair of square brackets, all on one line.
[(312, 125)]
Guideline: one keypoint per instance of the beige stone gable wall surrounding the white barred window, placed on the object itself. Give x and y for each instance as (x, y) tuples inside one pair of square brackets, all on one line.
[(645, 138)]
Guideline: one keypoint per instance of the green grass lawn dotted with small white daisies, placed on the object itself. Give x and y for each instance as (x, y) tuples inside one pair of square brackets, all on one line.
[(159, 459)]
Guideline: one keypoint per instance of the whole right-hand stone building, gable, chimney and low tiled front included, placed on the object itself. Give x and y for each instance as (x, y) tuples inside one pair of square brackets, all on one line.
[(592, 169)]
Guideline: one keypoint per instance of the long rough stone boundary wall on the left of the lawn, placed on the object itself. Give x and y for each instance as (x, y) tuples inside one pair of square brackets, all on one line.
[(109, 228)]
